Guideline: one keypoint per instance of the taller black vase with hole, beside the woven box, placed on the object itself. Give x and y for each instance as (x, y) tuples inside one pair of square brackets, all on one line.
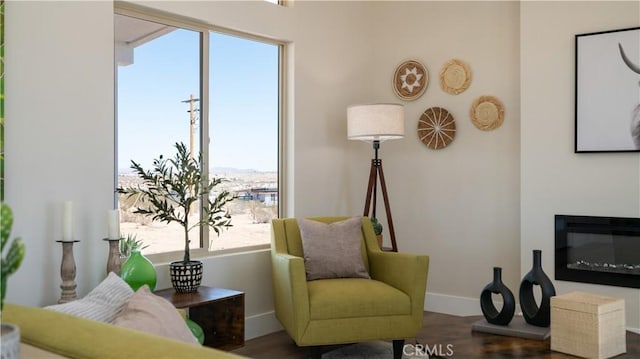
[(534, 315)]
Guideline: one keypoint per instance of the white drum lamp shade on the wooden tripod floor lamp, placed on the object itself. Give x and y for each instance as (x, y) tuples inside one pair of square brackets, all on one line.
[(375, 122)]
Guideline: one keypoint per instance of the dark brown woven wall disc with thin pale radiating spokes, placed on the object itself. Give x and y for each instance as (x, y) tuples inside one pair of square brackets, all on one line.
[(436, 128)]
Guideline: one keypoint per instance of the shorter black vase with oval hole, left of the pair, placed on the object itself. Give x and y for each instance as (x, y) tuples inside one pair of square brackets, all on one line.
[(486, 302)]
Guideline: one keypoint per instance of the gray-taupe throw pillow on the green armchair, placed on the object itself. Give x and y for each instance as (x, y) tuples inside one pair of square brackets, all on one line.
[(332, 250)]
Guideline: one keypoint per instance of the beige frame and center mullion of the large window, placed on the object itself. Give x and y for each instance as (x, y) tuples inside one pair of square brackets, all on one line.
[(153, 15)]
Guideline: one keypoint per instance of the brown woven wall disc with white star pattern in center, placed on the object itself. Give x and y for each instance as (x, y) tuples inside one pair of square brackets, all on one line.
[(410, 80)]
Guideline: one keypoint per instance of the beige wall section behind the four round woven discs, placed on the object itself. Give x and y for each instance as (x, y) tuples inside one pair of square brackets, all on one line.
[(460, 204)]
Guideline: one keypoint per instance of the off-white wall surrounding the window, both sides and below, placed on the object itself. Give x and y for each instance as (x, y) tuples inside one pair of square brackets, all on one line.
[(60, 131)]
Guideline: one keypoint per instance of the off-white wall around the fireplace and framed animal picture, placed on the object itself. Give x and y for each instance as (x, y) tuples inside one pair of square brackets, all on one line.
[(554, 179)]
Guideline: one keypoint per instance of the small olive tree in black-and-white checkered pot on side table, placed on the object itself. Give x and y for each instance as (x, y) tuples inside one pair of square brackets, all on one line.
[(169, 193)]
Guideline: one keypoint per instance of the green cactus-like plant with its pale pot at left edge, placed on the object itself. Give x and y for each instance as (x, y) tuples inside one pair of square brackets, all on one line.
[(10, 263)]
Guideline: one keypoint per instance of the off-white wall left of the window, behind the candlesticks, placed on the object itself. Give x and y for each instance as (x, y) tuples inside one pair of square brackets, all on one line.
[(59, 138)]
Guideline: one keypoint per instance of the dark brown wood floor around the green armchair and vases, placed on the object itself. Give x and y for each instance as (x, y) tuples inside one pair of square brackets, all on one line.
[(438, 329)]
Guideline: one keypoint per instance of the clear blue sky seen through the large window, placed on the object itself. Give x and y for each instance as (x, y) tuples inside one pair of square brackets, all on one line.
[(243, 100)]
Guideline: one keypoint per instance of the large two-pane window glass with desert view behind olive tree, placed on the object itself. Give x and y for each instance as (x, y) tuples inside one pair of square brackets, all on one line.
[(216, 93)]
